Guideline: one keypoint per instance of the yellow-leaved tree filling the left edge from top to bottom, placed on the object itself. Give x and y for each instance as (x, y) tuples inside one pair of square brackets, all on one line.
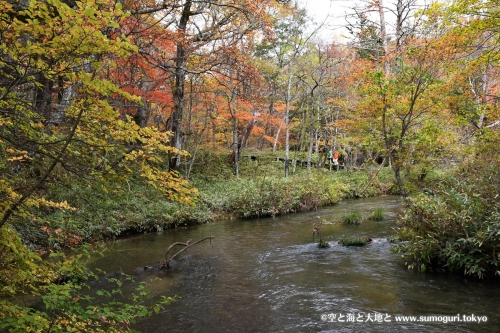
[(57, 122)]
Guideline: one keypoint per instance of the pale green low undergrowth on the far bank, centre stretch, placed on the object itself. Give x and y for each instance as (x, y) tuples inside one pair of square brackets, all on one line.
[(262, 190)]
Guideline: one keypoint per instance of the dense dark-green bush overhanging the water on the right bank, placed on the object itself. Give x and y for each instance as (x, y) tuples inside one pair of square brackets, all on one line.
[(456, 228)]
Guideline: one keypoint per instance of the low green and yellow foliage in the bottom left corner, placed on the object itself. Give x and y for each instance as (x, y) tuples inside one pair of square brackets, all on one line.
[(62, 289)]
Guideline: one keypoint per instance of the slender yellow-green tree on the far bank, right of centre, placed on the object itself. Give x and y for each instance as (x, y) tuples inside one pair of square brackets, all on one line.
[(397, 106)]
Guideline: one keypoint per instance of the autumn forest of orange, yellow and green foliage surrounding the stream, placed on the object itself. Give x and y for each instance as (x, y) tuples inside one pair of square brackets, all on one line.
[(119, 116)]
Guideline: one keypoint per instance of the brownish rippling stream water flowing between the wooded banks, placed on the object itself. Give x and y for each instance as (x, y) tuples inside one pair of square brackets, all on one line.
[(267, 275)]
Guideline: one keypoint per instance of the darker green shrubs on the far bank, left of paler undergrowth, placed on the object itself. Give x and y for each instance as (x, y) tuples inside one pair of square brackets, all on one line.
[(130, 207)]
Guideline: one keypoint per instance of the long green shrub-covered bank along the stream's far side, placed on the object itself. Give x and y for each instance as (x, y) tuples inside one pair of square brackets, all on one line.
[(131, 207)]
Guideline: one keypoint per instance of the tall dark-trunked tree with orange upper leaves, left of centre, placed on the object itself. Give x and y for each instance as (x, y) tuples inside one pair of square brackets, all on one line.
[(200, 31)]
